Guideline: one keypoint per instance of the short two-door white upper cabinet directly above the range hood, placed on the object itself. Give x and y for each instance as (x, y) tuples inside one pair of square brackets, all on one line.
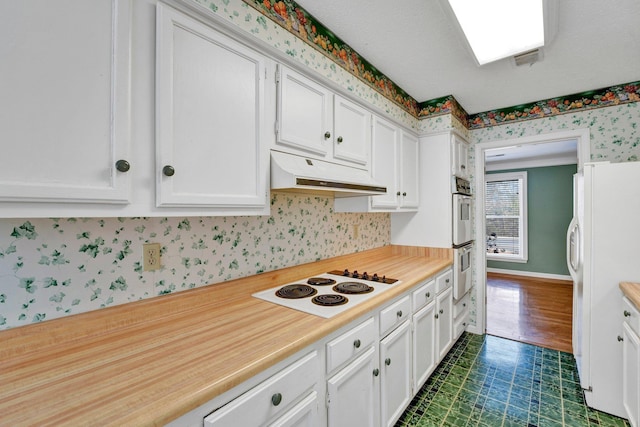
[(314, 121)]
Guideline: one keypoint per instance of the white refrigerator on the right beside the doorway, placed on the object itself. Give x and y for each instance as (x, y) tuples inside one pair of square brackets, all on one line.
[(600, 254)]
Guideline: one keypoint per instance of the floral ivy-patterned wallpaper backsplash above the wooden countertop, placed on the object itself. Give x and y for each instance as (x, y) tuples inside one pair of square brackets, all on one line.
[(50, 268)]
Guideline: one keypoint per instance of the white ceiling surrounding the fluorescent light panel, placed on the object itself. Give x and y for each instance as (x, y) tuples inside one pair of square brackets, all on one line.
[(416, 44)]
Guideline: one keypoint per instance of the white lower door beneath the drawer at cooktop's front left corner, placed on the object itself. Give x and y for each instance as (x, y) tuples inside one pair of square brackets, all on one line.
[(353, 393)]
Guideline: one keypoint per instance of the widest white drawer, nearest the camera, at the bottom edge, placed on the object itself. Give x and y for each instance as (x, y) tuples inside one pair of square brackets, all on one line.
[(271, 397)]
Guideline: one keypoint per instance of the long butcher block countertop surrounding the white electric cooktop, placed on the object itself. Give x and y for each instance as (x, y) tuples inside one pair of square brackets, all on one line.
[(151, 361)]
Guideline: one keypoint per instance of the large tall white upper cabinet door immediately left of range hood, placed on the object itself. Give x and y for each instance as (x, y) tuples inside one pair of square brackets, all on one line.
[(210, 98)]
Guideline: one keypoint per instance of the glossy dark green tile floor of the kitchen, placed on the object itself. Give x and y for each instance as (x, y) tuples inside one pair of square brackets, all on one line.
[(491, 381)]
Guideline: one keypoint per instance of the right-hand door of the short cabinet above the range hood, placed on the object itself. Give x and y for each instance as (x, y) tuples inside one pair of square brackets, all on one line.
[(352, 132)]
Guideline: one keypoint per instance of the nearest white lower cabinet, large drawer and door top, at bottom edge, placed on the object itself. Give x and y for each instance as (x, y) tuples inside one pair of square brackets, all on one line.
[(275, 397)]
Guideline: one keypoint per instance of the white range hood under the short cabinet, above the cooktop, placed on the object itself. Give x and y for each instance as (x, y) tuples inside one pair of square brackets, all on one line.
[(301, 174)]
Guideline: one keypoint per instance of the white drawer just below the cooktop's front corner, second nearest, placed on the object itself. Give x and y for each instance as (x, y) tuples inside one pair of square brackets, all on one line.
[(350, 344)]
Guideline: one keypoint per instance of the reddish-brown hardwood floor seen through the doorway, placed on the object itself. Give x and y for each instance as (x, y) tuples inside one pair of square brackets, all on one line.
[(531, 310)]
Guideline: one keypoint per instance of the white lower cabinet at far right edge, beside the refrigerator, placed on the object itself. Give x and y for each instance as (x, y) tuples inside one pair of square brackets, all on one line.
[(631, 363)]
